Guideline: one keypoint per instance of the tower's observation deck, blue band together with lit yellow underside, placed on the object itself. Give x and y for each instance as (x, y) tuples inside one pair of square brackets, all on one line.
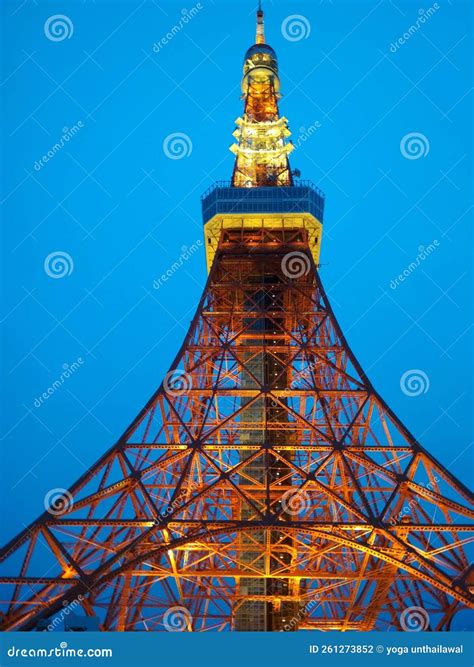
[(299, 206)]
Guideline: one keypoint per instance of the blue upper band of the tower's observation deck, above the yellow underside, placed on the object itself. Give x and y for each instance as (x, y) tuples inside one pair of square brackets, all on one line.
[(222, 198)]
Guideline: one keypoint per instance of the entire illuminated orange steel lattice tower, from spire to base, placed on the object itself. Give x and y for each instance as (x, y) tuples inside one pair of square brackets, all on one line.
[(265, 485)]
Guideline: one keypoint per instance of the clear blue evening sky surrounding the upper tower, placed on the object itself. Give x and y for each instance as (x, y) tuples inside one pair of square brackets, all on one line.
[(122, 210)]
